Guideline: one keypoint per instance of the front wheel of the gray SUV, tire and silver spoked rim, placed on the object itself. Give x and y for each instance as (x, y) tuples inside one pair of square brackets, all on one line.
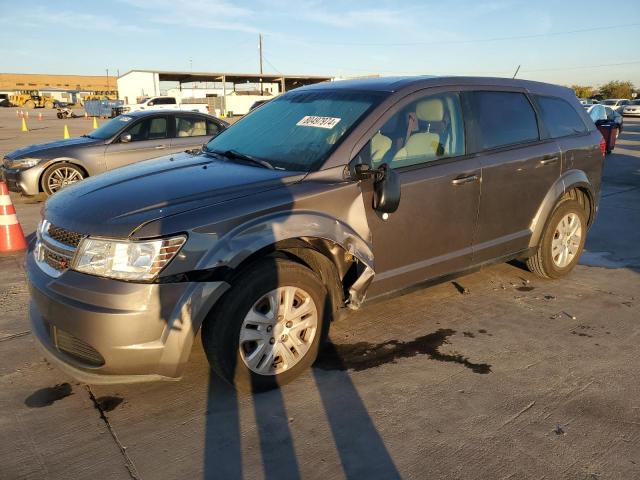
[(221, 332)]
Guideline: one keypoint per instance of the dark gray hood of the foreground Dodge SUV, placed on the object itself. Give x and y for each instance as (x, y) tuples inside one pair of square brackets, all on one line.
[(116, 203)]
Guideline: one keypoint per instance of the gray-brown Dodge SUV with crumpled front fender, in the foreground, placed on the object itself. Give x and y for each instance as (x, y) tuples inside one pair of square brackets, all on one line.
[(322, 197)]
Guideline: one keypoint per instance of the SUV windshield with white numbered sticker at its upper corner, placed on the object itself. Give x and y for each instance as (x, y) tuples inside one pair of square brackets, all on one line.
[(299, 130)]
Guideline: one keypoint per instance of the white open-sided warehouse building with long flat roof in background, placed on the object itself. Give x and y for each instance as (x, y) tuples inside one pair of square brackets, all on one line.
[(229, 93)]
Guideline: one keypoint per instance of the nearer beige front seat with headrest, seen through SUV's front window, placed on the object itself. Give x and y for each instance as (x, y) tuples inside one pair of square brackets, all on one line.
[(425, 145)]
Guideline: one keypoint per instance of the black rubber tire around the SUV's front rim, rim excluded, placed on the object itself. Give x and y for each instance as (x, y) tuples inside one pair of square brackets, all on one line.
[(221, 331)]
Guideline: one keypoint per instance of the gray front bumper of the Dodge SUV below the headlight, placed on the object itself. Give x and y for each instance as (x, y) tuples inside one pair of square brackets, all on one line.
[(114, 331)]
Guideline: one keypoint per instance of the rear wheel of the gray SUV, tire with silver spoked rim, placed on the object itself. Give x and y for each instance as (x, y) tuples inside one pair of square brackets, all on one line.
[(544, 263)]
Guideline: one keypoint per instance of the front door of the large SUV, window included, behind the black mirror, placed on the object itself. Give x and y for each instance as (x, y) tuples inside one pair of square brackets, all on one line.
[(431, 232)]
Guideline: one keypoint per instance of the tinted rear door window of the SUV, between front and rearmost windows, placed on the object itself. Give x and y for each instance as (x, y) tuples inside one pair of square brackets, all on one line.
[(501, 119)]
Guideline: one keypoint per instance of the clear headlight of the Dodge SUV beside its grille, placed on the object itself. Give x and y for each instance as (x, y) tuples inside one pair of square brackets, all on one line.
[(126, 260)]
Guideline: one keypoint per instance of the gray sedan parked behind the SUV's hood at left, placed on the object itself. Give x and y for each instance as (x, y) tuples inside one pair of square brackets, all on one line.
[(126, 139)]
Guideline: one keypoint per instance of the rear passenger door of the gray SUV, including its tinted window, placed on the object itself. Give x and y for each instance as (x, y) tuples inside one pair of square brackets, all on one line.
[(519, 166)]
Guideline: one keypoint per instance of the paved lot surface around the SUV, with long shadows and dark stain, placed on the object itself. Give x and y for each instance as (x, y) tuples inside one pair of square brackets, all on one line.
[(496, 375)]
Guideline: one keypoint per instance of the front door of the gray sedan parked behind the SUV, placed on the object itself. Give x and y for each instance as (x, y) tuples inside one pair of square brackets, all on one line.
[(149, 139)]
